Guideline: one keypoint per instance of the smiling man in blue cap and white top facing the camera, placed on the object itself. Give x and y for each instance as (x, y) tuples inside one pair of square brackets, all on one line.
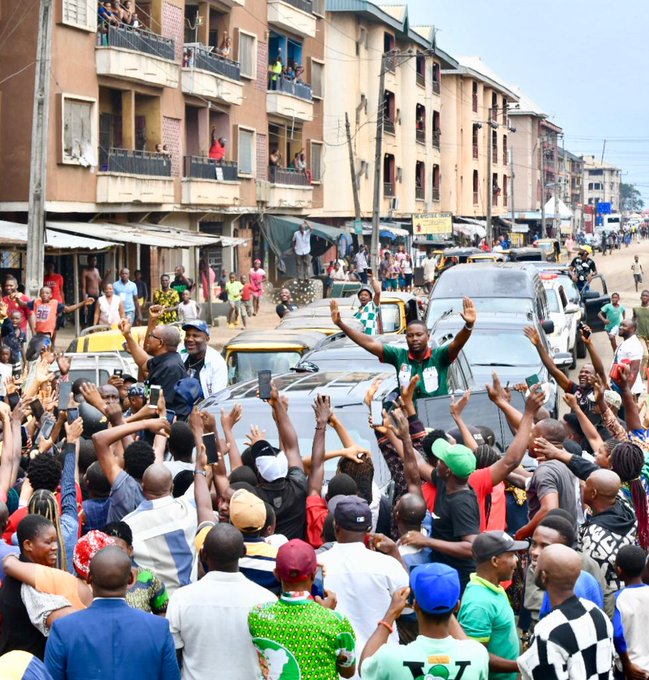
[(202, 361)]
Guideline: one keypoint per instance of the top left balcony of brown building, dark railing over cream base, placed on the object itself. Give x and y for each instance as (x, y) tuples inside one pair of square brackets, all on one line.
[(137, 55)]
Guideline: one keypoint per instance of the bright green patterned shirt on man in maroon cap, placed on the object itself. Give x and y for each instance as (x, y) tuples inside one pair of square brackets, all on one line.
[(298, 639)]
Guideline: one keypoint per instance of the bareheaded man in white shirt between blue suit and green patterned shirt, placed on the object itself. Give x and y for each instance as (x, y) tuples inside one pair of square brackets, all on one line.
[(209, 619)]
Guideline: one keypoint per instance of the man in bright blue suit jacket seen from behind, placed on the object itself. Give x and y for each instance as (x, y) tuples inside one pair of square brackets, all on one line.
[(109, 639)]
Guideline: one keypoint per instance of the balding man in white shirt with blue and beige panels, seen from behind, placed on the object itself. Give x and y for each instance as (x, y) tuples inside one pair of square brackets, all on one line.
[(164, 528)]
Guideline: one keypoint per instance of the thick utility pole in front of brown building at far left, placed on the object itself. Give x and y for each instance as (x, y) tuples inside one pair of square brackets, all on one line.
[(38, 158)]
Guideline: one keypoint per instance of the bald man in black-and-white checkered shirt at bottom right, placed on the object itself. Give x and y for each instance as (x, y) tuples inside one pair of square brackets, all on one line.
[(575, 641)]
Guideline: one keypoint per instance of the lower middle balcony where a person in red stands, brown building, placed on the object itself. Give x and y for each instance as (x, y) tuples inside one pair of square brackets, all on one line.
[(207, 182)]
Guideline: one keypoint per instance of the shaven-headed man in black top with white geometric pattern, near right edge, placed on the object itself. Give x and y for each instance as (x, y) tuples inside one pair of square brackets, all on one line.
[(610, 526)]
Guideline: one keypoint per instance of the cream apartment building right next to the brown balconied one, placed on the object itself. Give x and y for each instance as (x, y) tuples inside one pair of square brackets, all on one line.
[(359, 33)]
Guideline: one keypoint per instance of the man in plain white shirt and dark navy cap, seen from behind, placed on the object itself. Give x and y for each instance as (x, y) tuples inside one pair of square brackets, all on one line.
[(364, 580)]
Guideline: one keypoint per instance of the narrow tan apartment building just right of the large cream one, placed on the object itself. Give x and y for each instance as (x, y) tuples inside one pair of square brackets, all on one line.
[(475, 148)]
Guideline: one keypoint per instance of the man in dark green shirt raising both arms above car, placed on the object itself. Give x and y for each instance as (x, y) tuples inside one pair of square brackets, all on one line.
[(419, 359)]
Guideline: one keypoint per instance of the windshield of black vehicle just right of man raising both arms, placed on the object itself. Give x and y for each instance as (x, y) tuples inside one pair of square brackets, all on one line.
[(513, 349)]
